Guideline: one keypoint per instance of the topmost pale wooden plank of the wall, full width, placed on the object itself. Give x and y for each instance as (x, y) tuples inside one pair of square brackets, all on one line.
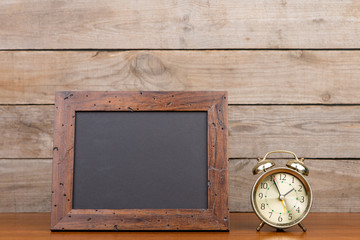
[(161, 24)]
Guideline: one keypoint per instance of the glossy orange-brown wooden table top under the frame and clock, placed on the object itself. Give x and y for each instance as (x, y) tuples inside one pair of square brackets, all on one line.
[(319, 225)]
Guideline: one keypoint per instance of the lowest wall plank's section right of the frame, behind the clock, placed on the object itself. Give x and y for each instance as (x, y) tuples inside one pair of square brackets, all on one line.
[(335, 184)]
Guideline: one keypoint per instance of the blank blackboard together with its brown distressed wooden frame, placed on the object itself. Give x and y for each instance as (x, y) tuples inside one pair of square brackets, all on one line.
[(140, 161)]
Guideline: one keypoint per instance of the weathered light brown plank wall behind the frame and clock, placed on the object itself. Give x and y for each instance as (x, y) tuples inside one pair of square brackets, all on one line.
[(292, 70)]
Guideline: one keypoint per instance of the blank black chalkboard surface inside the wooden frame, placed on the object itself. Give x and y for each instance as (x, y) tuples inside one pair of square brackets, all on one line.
[(140, 160)]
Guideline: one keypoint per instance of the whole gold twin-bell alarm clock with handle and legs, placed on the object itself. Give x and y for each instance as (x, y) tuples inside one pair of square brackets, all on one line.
[(281, 197)]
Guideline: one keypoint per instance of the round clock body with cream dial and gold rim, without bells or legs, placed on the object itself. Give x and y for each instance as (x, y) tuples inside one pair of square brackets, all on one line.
[(281, 198)]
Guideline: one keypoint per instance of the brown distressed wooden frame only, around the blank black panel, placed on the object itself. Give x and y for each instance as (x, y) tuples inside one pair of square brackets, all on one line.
[(64, 217)]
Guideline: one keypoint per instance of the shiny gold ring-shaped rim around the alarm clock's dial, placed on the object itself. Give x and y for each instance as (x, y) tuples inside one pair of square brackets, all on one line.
[(300, 177)]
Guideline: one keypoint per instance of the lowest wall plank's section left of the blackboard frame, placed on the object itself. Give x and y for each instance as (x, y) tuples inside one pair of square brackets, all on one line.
[(25, 185)]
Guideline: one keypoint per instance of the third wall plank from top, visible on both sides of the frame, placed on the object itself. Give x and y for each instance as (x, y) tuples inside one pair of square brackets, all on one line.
[(309, 131)]
